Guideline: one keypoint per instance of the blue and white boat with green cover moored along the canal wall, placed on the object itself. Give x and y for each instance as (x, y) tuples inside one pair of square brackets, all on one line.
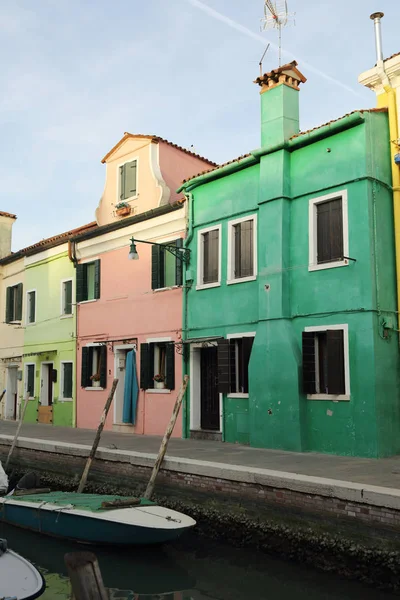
[(94, 518)]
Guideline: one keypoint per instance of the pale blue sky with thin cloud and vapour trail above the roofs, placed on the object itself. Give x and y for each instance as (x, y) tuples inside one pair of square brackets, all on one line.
[(77, 74)]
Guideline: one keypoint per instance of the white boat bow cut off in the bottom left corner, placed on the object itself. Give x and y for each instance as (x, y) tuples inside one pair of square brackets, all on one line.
[(19, 579)]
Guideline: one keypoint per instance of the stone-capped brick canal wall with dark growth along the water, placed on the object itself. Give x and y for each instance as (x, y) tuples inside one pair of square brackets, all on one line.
[(334, 525)]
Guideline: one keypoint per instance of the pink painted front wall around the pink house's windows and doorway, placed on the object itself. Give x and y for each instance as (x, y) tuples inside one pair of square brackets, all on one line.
[(129, 308)]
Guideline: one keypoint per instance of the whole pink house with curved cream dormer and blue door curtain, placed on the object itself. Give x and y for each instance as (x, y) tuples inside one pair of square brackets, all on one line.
[(129, 312)]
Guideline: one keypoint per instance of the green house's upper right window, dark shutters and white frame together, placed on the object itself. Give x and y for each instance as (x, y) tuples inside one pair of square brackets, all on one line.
[(328, 235)]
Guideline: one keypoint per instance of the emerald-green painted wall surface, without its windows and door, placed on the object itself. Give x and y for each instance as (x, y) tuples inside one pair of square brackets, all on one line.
[(360, 295)]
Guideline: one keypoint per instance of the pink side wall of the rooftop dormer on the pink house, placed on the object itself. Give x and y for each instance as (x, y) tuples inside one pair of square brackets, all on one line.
[(177, 165)]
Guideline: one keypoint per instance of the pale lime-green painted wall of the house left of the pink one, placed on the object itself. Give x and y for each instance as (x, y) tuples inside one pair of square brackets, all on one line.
[(52, 337)]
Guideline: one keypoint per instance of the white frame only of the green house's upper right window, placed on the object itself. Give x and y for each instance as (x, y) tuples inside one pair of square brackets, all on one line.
[(312, 231)]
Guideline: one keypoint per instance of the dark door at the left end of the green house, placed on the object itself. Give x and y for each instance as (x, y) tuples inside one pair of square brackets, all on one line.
[(209, 396)]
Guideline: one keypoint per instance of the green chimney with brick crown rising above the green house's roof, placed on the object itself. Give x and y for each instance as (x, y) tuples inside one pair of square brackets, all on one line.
[(280, 104)]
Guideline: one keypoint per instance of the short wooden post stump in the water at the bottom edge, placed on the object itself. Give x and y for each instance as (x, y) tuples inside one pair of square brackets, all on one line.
[(84, 573)]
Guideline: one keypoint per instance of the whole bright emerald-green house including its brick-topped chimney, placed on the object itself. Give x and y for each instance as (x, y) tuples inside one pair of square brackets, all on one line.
[(290, 321)]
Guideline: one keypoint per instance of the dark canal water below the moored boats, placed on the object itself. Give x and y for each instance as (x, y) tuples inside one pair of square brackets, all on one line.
[(190, 569)]
